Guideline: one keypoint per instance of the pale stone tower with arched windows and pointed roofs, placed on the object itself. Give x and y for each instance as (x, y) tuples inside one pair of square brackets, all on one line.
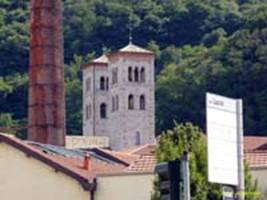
[(119, 97)]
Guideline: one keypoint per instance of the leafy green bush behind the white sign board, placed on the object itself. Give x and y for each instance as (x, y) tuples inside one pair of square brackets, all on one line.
[(183, 137)]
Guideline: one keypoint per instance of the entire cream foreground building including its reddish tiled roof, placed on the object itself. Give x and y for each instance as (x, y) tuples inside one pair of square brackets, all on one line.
[(28, 172)]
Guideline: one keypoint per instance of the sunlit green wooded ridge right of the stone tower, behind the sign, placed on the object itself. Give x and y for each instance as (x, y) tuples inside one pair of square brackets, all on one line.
[(234, 66)]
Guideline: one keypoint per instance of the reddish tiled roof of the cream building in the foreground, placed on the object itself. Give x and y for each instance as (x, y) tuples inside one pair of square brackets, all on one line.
[(71, 162)]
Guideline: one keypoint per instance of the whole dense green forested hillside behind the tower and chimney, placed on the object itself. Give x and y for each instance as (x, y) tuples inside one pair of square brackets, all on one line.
[(201, 45)]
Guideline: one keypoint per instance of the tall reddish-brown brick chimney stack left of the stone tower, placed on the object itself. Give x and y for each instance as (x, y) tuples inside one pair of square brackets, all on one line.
[(46, 113)]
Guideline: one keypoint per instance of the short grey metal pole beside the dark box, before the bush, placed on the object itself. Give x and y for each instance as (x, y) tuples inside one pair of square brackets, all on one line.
[(186, 176)]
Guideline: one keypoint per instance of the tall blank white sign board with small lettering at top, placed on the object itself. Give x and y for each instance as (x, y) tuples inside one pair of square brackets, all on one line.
[(222, 131)]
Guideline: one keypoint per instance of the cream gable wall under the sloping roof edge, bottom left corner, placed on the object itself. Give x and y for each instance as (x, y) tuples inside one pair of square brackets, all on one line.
[(25, 178)]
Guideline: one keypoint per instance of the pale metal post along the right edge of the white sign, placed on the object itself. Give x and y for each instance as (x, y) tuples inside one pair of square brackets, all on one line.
[(241, 180)]
